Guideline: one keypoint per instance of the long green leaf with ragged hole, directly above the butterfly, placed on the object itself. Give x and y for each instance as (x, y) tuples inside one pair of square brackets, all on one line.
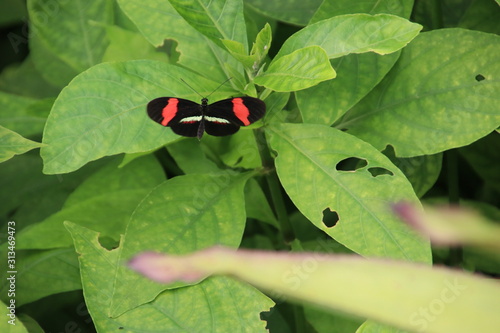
[(159, 21)]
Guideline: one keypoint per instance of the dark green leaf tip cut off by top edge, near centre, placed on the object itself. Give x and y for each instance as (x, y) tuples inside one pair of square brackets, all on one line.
[(296, 12)]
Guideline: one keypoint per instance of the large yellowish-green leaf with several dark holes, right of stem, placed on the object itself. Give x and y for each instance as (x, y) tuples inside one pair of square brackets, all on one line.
[(308, 167)]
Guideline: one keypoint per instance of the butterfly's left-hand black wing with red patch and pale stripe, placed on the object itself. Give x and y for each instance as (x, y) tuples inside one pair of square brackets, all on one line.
[(181, 115)]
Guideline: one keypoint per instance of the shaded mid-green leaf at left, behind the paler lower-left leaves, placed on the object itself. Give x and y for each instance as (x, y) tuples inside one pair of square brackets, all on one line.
[(105, 202)]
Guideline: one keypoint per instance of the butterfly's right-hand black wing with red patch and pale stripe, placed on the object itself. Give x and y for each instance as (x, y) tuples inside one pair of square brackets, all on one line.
[(225, 117)]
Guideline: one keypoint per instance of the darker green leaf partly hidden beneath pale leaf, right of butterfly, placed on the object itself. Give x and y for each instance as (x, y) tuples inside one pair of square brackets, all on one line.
[(357, 74)]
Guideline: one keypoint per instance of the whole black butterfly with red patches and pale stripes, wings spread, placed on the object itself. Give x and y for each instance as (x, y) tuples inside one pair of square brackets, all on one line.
[(191, 119)]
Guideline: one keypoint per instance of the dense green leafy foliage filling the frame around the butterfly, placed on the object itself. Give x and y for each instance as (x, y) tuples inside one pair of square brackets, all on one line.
[(364, 103)]
